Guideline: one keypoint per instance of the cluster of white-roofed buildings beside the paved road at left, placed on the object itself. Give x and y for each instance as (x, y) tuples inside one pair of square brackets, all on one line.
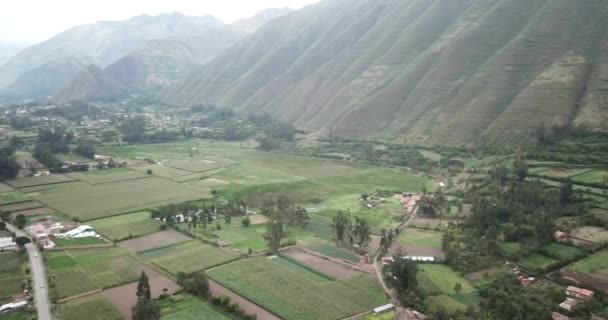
[(45, 230)]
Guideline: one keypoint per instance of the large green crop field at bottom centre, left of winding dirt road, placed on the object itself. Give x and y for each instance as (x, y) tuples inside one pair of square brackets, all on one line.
[(262, 281)]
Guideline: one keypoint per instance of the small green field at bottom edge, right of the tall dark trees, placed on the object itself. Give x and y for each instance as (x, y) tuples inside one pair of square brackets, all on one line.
[(186, 307)]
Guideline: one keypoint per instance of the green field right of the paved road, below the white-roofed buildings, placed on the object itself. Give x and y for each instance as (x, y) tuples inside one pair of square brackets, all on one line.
[(79, 271)]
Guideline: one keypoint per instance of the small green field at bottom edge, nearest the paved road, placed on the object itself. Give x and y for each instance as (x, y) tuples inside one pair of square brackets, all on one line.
[(96, 309)]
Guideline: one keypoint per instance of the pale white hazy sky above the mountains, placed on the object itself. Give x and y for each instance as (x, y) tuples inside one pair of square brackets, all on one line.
[(31, 21)]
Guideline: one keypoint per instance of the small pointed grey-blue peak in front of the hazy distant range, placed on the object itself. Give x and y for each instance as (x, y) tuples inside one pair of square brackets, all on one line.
[(92, 83)]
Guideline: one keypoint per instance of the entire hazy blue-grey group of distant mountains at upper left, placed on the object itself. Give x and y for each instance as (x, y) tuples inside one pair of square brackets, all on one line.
[(160, 48)]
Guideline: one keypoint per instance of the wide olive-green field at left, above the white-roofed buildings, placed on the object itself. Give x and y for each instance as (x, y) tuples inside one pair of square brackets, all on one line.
[(102, 200)]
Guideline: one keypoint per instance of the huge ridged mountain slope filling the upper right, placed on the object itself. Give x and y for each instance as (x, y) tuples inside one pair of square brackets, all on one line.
[(451, 72)]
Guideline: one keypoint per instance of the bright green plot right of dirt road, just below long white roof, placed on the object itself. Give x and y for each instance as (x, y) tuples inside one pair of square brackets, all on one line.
[(440, 279)]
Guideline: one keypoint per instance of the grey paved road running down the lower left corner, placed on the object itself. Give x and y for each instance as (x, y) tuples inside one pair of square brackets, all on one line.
[(39, 283)]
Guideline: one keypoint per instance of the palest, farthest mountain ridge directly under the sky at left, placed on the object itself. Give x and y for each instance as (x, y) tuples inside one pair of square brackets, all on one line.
[(101, 43)]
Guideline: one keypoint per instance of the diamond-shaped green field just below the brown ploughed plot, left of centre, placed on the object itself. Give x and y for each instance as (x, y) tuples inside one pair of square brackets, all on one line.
[(187, 257)]
